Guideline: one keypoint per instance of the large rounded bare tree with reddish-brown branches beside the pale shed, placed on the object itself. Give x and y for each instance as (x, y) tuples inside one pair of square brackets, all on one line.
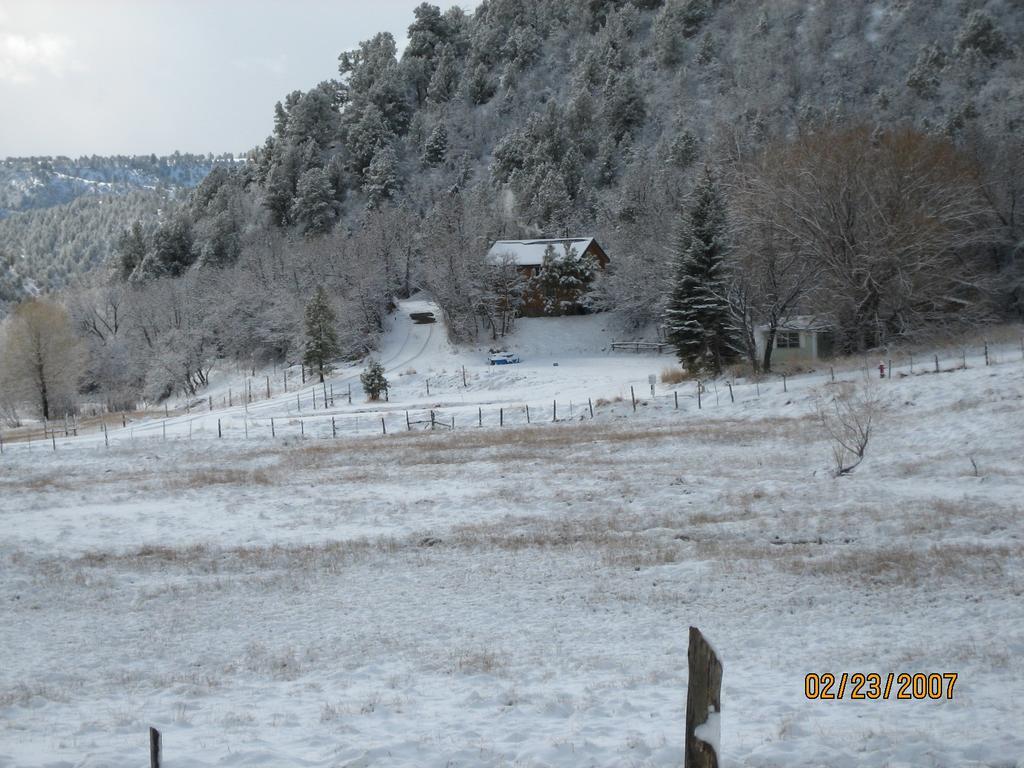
[(893, 221)]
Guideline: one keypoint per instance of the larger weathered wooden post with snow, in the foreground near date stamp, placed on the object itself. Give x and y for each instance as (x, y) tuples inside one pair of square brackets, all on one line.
[(704, 704)]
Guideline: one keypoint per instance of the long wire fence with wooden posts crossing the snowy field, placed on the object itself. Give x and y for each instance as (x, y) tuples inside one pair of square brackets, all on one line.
[(316, 415)]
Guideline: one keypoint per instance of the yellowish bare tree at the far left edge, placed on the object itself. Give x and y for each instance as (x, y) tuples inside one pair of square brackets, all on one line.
[(42, 358)]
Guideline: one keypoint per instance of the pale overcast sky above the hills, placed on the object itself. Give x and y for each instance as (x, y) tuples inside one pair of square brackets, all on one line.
[(134, 77)]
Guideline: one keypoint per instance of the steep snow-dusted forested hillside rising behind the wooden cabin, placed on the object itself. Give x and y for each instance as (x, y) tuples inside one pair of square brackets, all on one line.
[(868, 156)]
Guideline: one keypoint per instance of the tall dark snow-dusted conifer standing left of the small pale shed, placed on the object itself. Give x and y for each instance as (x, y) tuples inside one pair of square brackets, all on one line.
[(698, 317)]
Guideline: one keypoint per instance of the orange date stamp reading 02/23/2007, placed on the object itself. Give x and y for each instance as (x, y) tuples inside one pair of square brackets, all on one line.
[(874, 687)]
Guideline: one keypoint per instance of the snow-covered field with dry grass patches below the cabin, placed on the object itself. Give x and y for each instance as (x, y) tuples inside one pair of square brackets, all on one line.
[(519, 596)]
